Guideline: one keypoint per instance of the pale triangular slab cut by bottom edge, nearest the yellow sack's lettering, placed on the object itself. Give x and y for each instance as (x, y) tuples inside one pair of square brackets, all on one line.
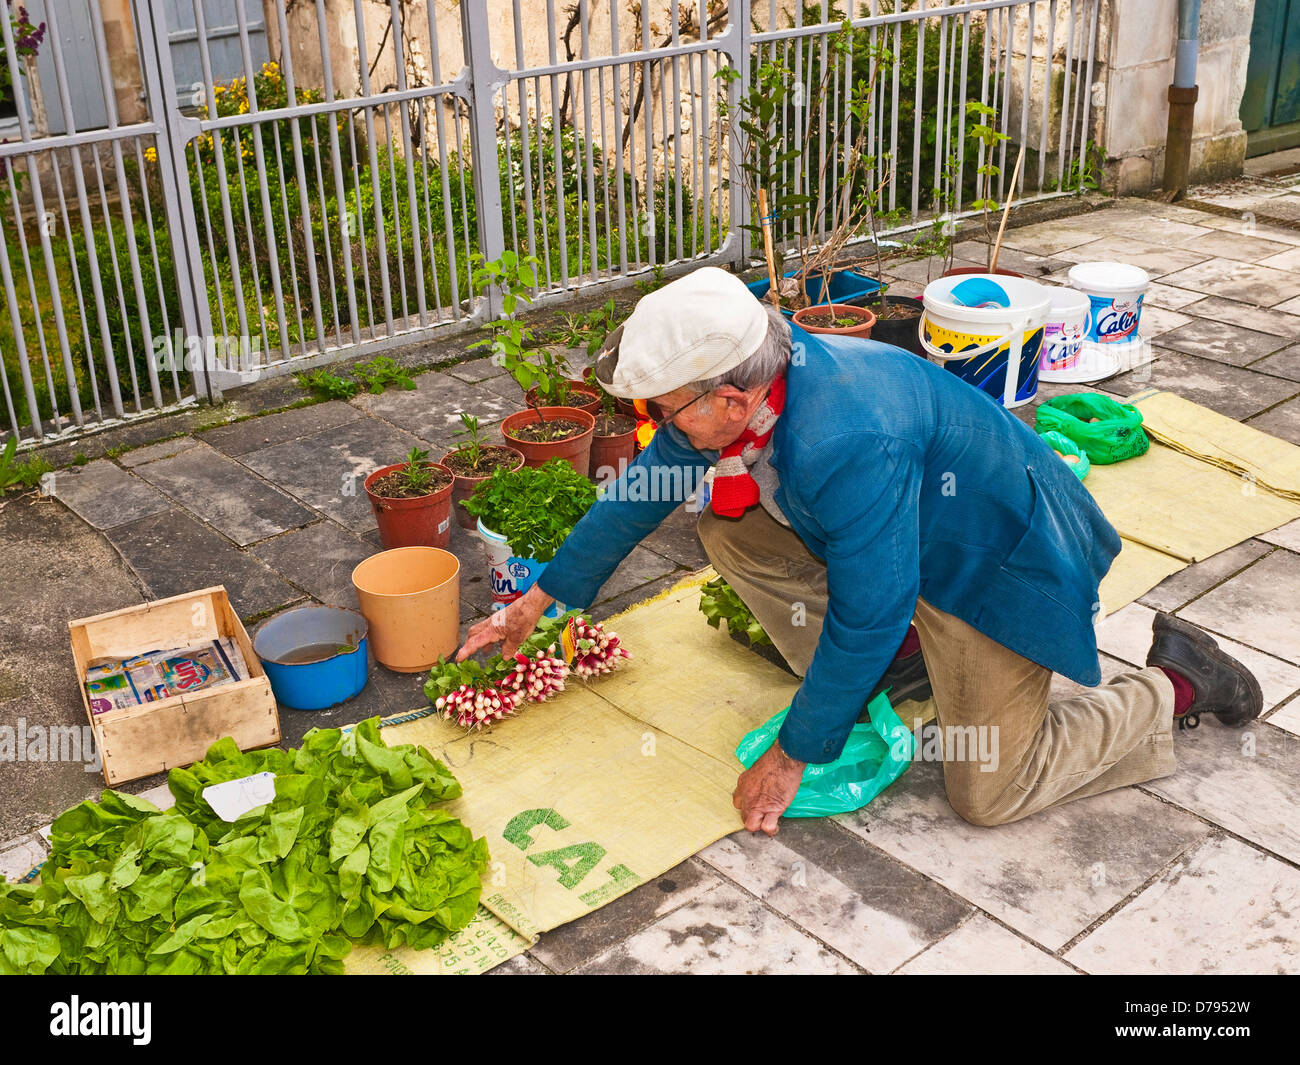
[(723, 933)]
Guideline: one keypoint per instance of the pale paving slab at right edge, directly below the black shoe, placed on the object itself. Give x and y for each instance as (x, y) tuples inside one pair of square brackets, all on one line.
[(1242, 780)]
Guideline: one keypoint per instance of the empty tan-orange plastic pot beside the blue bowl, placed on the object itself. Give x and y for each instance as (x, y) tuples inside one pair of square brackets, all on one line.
[(411, 601)]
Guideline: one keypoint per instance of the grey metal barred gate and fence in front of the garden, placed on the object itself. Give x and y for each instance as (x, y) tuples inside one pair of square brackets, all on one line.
[(332, 201)]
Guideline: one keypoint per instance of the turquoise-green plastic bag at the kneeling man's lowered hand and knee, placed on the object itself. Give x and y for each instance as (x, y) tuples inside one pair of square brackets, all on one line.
[(877, 754)]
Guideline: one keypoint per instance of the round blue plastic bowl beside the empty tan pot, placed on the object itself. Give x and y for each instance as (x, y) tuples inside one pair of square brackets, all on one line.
[(300, 652)]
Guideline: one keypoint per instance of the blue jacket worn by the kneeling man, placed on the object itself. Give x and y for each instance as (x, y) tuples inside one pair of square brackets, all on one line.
[(907, 482)]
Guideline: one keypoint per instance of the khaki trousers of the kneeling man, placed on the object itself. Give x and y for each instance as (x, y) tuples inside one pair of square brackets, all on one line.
[(1026, 751)]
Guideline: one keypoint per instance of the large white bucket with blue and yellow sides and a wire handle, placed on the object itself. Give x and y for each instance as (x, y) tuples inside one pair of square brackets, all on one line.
[(995, 349)]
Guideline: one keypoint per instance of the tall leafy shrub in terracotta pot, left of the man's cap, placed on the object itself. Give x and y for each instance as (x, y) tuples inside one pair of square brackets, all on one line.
[(540, 434)]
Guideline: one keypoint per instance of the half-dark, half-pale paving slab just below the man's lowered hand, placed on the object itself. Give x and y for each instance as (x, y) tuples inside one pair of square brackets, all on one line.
[(834, 885)]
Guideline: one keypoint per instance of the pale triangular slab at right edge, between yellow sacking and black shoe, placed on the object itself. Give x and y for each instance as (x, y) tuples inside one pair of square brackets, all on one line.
[(1258, 608)]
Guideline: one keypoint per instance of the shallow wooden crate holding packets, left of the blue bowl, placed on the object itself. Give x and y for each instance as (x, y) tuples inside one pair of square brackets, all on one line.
[(157, 737)]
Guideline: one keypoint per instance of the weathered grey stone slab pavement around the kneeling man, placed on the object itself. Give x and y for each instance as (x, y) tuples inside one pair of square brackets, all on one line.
[(1195, 873)]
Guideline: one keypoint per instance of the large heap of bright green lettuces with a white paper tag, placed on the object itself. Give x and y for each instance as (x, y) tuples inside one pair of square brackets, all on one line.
[(349, 851)]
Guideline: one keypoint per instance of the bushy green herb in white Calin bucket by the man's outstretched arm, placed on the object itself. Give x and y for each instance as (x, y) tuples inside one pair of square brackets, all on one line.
[(523, 517)]
